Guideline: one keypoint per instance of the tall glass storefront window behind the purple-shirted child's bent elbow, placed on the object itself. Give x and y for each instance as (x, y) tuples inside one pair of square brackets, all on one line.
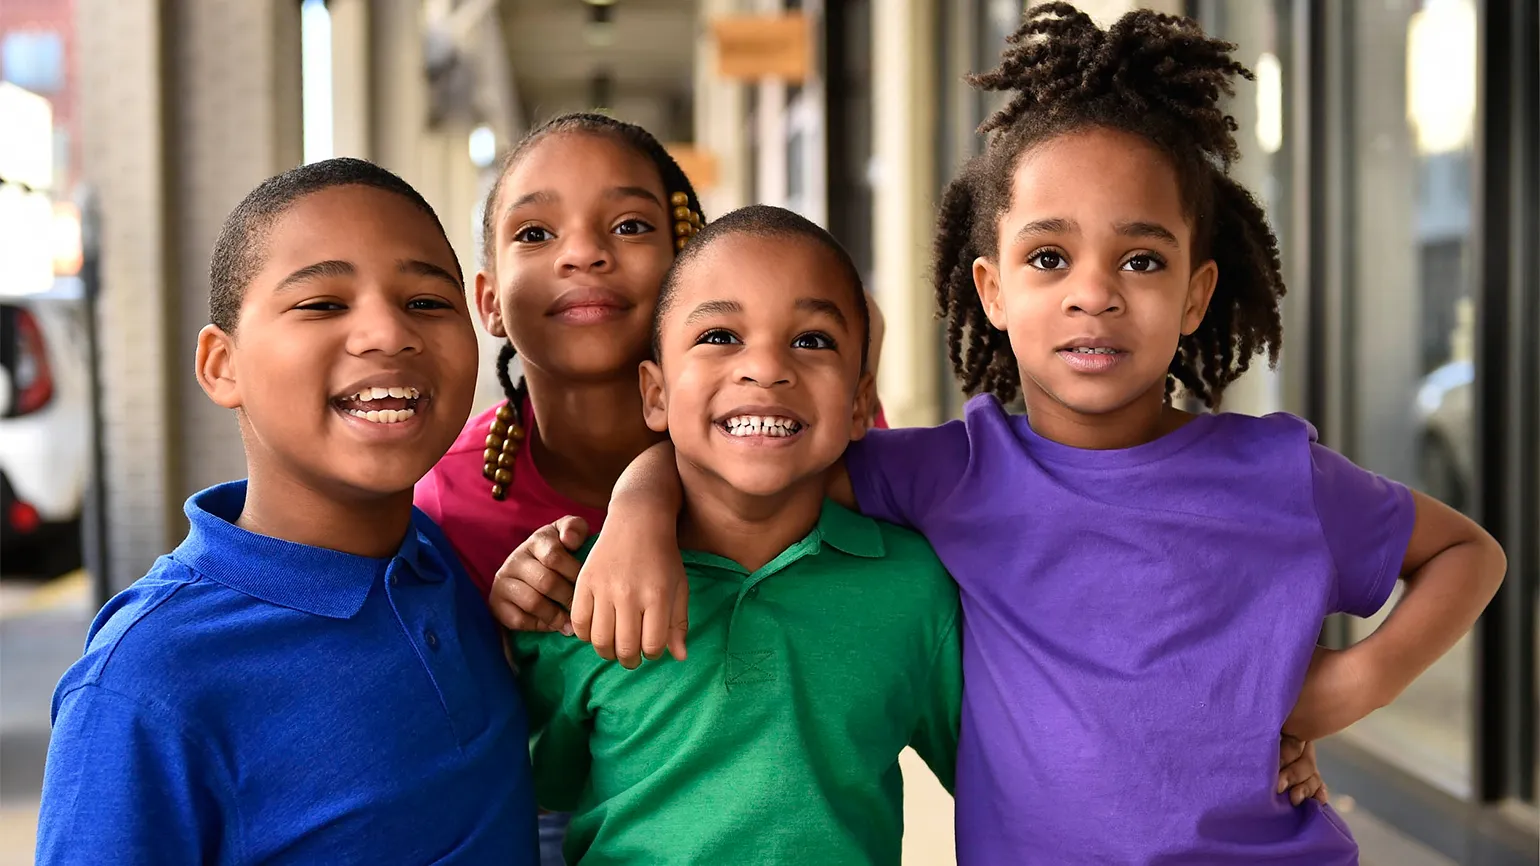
[(1411, 343)]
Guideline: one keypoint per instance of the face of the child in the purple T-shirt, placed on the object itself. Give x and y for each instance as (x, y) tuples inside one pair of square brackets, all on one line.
[(1096, 278)]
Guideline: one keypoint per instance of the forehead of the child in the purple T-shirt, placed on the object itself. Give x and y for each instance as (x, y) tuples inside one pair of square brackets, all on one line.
[(1097, 178)]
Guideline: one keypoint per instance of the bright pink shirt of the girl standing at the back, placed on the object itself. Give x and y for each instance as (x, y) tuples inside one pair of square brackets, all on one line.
[(484, 531)]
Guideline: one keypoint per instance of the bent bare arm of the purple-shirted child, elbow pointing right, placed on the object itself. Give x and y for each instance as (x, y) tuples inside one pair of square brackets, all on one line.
[(1453, 569)]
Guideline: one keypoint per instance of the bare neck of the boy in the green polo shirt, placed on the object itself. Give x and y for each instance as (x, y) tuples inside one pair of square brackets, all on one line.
[(751, 531)]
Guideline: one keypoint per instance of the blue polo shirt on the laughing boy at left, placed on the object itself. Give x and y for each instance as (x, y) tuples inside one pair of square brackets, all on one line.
[(261, 702)]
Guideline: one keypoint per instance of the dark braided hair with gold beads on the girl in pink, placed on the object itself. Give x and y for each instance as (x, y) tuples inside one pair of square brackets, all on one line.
[(631, 135)]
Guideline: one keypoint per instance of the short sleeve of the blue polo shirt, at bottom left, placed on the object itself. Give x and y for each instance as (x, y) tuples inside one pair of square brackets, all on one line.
[(122, 777)]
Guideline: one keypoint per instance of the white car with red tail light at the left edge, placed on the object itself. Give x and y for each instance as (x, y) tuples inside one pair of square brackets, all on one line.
[(45, 429)]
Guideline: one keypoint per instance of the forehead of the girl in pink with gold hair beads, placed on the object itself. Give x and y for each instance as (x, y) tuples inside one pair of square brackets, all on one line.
[(581, 164)]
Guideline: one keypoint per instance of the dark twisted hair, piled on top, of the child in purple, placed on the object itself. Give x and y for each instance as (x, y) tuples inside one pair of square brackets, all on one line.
[(1153, 76)]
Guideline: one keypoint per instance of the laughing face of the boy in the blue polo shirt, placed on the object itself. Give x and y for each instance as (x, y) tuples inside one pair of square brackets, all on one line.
[(353, 363)]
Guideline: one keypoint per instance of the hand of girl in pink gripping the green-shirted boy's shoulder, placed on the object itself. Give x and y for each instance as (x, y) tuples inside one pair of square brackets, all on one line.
[(534, 588)]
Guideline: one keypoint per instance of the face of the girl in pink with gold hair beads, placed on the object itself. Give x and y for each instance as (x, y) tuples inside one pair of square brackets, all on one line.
[(581, 246)]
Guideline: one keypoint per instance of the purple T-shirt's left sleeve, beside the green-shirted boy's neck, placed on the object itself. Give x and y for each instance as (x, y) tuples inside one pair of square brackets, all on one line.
[(906, 475)]
